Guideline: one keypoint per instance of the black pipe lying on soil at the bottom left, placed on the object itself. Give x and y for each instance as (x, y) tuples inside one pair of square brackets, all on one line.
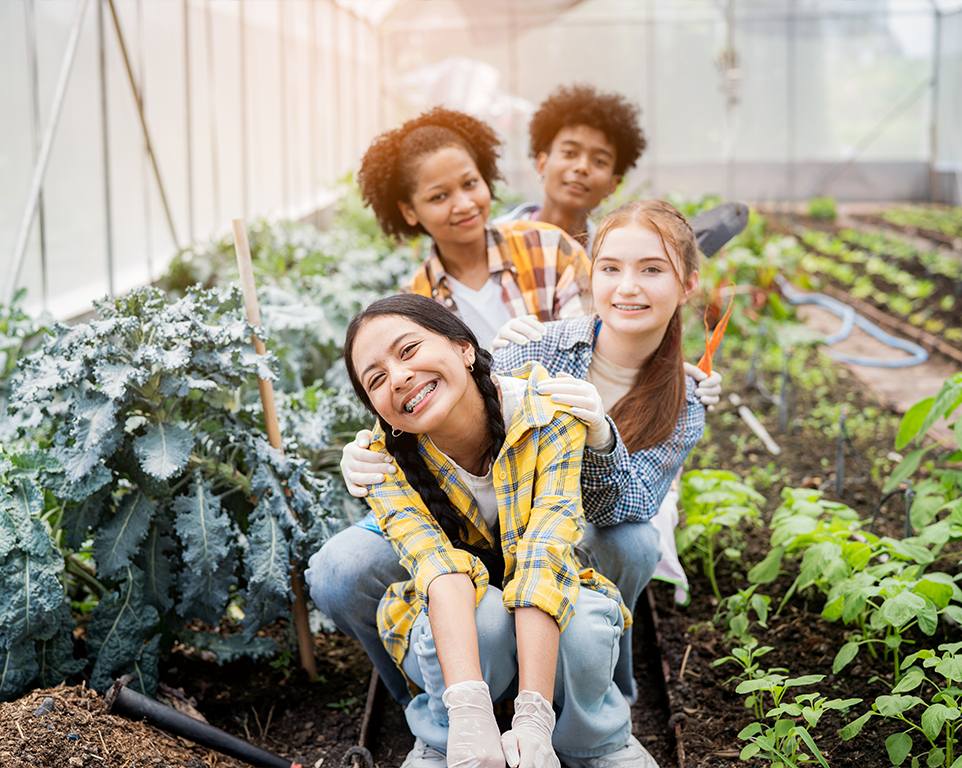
[(121, 700)]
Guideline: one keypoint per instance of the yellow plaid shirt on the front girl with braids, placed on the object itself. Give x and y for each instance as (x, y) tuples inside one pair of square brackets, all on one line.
[(537, 483)]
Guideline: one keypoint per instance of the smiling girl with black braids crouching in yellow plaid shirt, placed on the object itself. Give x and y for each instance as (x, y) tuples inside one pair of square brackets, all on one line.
[(484, 514)]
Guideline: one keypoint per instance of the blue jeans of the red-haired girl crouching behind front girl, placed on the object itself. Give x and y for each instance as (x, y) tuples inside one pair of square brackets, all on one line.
[(349, 575)]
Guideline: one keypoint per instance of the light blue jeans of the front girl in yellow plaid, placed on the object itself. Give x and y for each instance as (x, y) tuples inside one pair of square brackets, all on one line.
[(593, 716)]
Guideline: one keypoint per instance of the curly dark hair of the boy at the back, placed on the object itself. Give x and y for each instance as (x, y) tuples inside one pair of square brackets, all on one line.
[(582, 104)]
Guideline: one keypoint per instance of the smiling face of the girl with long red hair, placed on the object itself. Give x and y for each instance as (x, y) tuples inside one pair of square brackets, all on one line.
[(635, 283)]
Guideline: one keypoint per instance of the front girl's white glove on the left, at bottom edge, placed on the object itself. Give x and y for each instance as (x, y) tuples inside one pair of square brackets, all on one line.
[(474, 739)]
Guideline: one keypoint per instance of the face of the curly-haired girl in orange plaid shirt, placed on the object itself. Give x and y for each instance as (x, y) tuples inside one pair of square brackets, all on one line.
[(449, 198)]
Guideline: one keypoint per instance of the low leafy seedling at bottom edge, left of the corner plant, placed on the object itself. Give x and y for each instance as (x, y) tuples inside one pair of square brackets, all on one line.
[(782, 742)]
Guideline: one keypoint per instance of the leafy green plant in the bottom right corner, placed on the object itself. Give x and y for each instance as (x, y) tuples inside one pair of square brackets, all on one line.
[(925, 671)]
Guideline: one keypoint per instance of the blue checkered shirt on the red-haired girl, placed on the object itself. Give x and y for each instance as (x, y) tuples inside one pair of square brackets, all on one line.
[(617, 487)]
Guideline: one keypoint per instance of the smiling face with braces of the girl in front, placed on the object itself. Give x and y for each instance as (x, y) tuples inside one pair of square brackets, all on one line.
[(414, 378)]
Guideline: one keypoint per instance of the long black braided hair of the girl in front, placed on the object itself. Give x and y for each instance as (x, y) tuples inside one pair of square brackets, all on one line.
[(404, 448)]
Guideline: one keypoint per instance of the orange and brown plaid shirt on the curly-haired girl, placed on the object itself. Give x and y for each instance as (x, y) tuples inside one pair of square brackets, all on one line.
[(541, 269)]
